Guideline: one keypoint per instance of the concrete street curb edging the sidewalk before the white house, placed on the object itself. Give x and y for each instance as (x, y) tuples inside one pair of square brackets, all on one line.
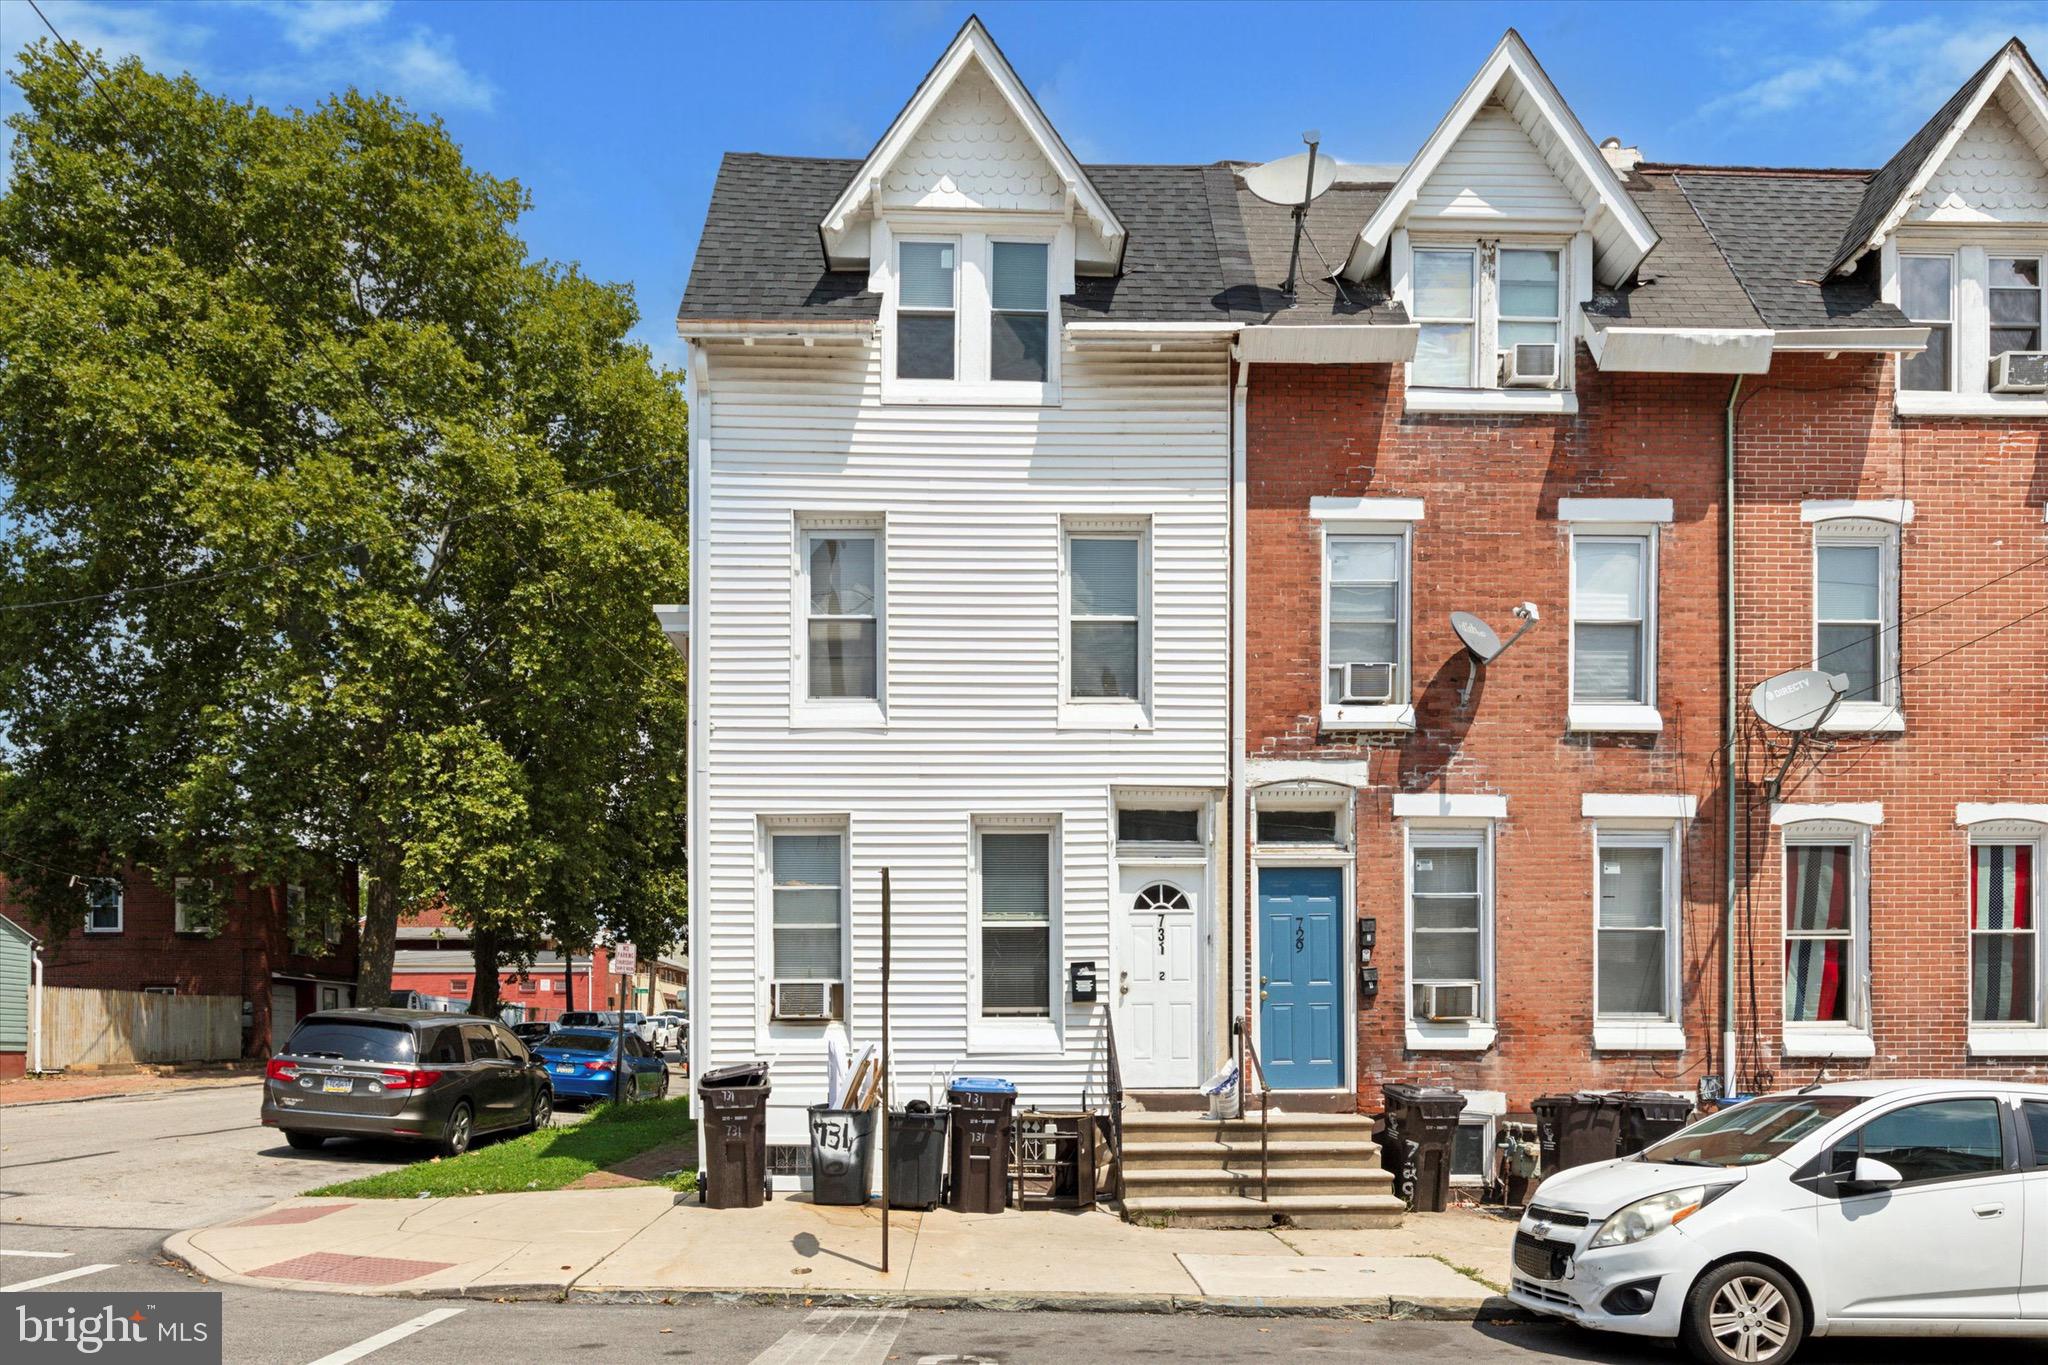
[(1494, 1309)]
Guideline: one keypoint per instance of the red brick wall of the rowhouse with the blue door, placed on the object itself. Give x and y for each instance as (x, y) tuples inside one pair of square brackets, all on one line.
[(1492, 539)]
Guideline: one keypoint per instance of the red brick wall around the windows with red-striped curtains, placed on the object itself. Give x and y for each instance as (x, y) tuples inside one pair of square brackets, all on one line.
[(1977, 719)]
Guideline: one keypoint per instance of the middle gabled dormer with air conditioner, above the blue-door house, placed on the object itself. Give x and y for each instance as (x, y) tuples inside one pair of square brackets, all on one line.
[(1494, 236)]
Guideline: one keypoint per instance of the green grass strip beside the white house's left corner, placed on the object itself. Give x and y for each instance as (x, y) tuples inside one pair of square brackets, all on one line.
[(538, 1161)]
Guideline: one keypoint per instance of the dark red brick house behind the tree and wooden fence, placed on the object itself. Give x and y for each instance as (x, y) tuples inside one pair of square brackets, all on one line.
[(136, 938)]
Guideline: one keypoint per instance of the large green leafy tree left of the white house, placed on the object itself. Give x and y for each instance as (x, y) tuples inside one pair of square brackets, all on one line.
[(331, 527)]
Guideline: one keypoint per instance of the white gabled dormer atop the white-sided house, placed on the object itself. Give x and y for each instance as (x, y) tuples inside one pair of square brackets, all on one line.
[(972, 220)]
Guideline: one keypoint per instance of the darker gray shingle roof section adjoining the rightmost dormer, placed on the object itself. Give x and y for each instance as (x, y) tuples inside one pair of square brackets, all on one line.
[(1779, 232)]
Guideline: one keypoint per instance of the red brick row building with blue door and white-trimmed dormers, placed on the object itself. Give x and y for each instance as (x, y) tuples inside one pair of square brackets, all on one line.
[(1533, 854)]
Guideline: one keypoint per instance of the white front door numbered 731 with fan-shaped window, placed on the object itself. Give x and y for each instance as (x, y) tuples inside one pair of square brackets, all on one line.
[(1158, 979)]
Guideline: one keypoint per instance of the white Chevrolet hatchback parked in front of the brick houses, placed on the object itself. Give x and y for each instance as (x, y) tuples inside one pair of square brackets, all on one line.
[(1912, 1208)]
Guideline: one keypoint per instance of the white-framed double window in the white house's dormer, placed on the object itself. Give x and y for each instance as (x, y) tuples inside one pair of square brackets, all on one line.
[(970, 314)]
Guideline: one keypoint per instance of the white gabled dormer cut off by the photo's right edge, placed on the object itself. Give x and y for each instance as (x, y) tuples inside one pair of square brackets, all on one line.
[(1959, 220)]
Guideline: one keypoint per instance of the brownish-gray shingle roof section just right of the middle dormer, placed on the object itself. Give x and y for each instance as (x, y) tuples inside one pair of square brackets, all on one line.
[(1684, 281)]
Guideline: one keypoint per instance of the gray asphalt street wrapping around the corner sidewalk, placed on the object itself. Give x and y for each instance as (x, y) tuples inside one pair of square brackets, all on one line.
[(89, 1192)]
